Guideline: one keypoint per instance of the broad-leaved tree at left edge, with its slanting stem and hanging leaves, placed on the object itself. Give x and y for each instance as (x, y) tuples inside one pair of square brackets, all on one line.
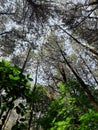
[(13, 86)]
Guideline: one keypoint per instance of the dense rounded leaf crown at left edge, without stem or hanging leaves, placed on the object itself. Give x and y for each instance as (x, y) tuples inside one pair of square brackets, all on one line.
[(12, 82)]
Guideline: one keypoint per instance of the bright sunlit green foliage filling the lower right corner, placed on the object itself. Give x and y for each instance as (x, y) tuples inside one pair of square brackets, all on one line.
[(71, 110)]
